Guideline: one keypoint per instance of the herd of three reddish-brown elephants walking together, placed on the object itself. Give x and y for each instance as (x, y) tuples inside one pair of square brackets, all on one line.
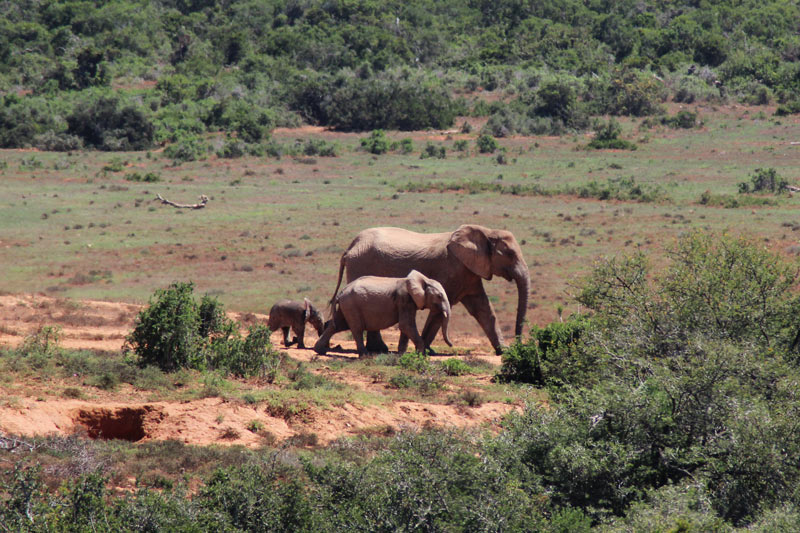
[(392, 273)]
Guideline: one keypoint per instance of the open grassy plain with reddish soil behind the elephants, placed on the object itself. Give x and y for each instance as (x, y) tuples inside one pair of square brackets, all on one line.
[(72, 225)]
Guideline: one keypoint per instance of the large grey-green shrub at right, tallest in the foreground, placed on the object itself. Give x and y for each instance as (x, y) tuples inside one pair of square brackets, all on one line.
[(690, 384)]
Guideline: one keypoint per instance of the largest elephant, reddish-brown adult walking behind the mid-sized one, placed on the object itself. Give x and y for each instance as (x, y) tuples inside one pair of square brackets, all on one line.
[(459, 260)]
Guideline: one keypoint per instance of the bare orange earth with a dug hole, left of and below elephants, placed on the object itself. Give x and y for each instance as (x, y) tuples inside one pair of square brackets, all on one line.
[(37, 407)]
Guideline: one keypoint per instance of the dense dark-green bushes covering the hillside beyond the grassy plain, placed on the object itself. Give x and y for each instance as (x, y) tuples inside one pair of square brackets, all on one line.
[(129, 75)]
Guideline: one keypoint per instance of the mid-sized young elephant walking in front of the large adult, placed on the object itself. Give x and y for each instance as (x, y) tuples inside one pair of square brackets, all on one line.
[(372, 303)]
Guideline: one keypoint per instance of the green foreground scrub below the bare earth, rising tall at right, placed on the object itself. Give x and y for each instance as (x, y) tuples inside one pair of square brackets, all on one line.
[(673, 404)]
